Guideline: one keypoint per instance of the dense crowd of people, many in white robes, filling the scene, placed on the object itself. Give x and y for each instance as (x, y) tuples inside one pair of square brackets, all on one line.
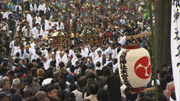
[(33, 67)]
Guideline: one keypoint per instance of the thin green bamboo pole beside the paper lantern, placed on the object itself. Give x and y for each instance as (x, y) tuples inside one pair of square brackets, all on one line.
[(153, 52)]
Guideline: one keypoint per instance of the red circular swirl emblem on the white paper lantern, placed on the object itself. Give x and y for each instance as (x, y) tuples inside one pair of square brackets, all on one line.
[(142, 68)]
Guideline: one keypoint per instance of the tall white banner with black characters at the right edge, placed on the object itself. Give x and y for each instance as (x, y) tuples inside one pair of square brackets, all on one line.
[(175, 45)]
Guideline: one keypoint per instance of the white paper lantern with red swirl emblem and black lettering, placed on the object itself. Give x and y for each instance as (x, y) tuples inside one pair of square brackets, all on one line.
[(134, 68)]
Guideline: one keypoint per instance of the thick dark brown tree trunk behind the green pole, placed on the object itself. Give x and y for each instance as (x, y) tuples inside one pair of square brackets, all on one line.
[(162, 32)]
